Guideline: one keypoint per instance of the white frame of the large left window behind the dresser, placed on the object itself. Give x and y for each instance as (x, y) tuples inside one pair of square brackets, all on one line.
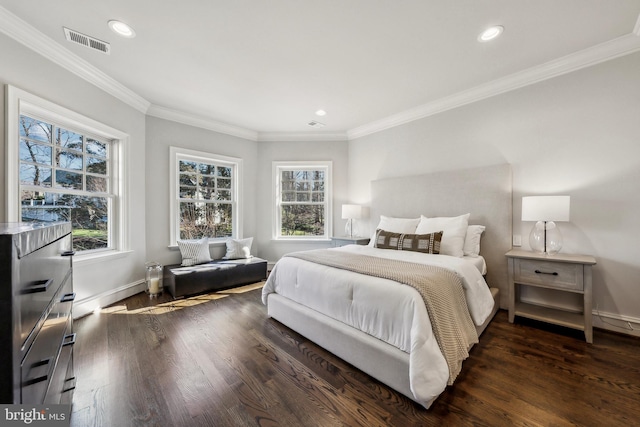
[(20, 102)]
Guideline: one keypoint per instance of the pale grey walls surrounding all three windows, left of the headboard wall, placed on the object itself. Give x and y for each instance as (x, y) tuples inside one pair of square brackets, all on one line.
[(99, 282)]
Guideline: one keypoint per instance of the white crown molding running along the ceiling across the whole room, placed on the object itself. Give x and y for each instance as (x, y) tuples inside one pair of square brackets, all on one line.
[(29, 36)]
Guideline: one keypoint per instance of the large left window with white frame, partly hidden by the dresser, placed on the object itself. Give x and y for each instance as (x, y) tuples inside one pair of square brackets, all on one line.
[(65, 167)]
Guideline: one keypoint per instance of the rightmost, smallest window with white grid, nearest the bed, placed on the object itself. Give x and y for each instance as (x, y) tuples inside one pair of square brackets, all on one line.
[(302, 200)]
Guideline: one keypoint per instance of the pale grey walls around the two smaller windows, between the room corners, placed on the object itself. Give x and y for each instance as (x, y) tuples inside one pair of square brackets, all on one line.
[(257, 165)]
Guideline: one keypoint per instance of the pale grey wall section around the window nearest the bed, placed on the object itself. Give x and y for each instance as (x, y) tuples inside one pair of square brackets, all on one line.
[(268, 152)]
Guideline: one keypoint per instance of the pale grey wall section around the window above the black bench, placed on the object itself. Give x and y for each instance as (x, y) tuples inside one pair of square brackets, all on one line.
[(162, 134)]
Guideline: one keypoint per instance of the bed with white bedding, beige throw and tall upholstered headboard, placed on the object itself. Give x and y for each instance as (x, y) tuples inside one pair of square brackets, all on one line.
[(383, 327)]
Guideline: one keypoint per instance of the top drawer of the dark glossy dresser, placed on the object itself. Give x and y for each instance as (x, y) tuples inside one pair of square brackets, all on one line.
[(41, 274)]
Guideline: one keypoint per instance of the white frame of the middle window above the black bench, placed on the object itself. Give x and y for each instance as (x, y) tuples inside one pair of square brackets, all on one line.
[(175, 155)]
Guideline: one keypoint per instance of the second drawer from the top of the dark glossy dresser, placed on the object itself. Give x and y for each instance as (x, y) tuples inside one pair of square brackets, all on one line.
[(38, 365)]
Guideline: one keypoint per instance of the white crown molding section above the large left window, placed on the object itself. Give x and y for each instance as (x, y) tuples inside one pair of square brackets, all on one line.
[(29, 36)]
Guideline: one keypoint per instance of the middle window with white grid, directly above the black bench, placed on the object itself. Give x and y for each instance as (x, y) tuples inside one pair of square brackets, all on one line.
[(204, 196)]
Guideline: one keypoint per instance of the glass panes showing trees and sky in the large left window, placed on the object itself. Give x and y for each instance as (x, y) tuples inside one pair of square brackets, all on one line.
[(64, 176)]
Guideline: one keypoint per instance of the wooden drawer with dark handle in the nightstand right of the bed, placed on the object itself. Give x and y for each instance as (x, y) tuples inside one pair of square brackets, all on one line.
[(549, 273)]
